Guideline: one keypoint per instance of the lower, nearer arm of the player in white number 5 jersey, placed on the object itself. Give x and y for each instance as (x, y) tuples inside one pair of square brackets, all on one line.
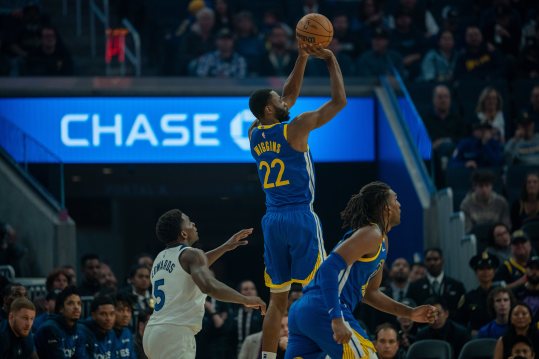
[(194, 261)]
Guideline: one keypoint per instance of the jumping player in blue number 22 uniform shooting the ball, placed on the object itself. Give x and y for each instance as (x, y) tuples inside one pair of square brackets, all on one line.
[(293, 244)]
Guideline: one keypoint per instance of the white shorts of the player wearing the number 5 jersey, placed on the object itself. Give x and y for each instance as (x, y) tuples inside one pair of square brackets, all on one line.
[(169, 342)]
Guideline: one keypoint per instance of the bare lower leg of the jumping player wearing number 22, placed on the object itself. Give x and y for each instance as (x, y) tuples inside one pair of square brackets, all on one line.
[(272, 323)]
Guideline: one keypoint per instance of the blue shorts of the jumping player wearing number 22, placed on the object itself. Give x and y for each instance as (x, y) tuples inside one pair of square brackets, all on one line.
[(293, 247)]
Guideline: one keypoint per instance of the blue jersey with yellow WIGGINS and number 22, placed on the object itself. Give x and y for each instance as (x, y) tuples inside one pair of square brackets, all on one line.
[(286, 175)]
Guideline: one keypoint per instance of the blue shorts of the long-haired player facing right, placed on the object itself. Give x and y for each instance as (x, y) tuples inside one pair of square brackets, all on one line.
[(310, 335)]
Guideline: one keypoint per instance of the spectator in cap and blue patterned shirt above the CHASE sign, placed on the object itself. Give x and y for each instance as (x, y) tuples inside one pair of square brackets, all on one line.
[(223, 62)]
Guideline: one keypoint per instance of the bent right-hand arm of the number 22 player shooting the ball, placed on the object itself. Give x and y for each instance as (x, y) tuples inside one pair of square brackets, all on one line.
[(299, 129)]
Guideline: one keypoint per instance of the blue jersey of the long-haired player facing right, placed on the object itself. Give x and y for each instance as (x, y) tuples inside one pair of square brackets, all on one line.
[(354, 279)]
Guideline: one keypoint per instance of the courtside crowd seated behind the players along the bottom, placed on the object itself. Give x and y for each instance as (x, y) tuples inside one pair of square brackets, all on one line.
[(97, 316)]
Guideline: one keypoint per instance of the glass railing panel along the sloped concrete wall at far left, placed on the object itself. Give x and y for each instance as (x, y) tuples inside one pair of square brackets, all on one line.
[(45, 169)]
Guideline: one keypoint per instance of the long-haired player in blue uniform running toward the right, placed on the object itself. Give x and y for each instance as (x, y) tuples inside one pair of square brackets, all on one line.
[(321, 321)]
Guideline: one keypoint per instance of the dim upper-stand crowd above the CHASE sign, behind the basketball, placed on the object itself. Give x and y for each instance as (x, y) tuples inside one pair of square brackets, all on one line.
[(424, 40)]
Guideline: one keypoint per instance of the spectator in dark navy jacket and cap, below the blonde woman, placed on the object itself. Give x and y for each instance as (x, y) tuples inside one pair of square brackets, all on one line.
[(478, 150)]
